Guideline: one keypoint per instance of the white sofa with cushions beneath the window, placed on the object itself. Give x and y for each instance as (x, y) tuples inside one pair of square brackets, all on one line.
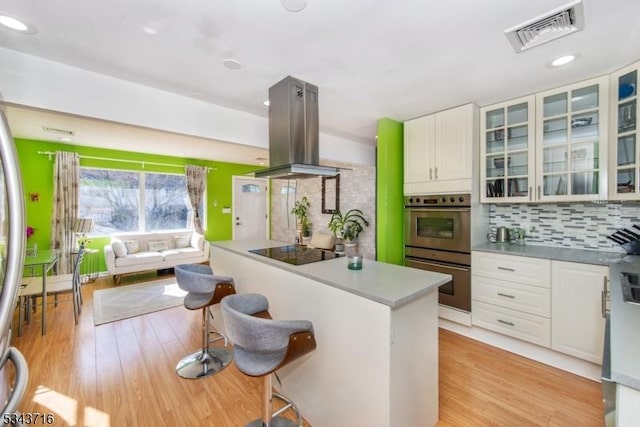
[(138, 252)]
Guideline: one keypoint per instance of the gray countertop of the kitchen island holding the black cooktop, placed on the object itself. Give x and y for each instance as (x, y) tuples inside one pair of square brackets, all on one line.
[(388, 284)]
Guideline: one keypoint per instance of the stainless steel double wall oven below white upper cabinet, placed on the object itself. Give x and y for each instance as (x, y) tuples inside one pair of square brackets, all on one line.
[(438, 238)]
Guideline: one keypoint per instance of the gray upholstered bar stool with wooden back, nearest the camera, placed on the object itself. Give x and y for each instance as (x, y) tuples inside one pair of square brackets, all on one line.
[(262, 345)]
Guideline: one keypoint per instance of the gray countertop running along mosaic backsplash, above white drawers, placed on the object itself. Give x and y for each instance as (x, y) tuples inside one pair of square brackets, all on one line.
[(583, 256)]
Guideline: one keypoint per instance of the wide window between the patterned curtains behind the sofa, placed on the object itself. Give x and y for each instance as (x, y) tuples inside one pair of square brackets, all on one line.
[(120, 201)]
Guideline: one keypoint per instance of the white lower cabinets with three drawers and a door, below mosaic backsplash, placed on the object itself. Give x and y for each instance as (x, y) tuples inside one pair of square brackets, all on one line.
[(554, 304)]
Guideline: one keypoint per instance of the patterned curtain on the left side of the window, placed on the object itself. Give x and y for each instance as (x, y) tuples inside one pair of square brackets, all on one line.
[(66, 178)]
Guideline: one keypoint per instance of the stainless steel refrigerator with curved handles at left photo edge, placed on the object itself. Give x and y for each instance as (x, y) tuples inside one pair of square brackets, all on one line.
[(12, 251)]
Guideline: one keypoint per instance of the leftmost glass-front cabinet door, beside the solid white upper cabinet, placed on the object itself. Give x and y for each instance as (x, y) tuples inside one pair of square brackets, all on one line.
[(507, 151)]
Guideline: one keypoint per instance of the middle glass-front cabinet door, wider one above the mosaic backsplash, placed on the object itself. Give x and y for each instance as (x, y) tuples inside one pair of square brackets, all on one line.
[(571, 142)]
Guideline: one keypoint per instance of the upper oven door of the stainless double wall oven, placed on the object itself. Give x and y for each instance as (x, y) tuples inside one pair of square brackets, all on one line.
[(441, 228)]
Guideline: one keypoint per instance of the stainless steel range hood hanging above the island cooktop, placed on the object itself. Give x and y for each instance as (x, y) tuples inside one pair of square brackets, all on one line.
[(294, 132)]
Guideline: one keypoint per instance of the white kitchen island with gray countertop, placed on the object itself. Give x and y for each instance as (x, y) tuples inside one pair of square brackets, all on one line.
[(376, 362)]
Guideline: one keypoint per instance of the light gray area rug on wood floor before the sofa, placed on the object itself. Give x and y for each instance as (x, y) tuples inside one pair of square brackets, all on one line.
[(123, 302)]
